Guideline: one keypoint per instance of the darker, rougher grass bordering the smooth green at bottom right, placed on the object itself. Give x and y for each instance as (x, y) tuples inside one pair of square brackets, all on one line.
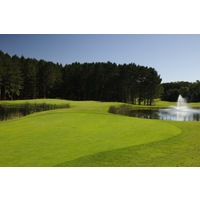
[(181, 150)]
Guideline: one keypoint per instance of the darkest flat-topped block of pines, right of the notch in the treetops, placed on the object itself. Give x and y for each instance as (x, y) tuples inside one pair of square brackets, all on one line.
[(111, 82)]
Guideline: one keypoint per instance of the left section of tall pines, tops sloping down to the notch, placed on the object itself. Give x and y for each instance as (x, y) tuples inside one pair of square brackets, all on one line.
[(22, 78)]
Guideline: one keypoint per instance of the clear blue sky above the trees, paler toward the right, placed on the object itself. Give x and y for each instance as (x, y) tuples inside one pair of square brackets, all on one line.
[(175, 57)]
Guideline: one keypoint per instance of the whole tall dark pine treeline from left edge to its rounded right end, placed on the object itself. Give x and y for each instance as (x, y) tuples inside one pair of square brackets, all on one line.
[(22, 78)]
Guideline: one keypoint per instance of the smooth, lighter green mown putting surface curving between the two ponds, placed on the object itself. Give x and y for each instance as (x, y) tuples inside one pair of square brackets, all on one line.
[(52, 137)]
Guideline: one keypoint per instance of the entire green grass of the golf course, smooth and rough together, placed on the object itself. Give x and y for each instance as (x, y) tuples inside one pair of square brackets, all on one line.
[(87, 135)]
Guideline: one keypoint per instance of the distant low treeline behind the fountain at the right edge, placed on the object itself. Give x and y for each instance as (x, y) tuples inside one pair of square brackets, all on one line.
[(191, 91)]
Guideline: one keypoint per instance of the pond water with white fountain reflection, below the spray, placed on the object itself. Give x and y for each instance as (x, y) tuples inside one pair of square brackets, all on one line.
[(167, 114)]
